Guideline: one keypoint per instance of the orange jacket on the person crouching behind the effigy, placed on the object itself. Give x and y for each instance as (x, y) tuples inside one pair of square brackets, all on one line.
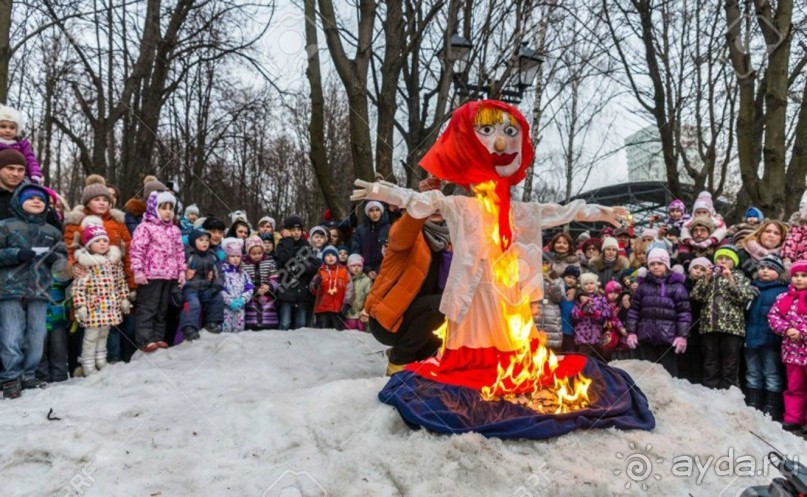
[(402, 273)]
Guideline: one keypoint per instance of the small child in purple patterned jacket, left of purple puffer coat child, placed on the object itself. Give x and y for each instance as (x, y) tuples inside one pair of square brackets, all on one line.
[(590, 314)]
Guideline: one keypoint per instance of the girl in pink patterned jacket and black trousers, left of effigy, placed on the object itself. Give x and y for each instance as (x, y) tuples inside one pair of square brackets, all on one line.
[(158, 263)]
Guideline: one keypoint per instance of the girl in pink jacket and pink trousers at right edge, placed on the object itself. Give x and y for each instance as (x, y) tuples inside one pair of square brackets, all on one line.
[(788, 318)]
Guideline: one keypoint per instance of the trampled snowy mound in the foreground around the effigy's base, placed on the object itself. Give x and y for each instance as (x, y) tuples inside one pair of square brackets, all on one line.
[(289, 414)]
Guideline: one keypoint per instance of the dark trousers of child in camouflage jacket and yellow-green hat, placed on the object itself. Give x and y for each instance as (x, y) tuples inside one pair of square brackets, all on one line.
[(721, 359)]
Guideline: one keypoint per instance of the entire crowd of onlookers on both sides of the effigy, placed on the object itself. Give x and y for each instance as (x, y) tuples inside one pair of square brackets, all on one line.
[(721, 306)]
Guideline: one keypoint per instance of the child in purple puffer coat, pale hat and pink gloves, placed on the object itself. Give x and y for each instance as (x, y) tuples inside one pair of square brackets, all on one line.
[(659, 317)]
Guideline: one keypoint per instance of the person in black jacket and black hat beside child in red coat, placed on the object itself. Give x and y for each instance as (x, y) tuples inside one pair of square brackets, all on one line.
[(297, 264)]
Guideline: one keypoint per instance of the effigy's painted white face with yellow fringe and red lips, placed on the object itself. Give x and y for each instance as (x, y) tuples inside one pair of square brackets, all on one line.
[(500, 133)]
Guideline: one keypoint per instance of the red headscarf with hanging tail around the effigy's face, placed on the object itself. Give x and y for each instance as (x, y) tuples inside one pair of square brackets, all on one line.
[(459, 157)]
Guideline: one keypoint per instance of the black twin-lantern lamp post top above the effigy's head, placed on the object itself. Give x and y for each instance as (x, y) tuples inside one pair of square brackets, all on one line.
[(459, 55)]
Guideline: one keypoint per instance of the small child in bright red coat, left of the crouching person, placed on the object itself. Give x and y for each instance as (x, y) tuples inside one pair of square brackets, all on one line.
[(333, 290)]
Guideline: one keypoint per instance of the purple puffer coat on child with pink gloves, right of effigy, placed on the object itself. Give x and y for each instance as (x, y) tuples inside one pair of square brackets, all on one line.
[(659, 310)]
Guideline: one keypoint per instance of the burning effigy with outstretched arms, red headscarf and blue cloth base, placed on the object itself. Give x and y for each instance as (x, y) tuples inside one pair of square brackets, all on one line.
[(494, 375)]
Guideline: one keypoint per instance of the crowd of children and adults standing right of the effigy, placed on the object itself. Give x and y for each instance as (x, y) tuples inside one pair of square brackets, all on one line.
[(720, 306)]
